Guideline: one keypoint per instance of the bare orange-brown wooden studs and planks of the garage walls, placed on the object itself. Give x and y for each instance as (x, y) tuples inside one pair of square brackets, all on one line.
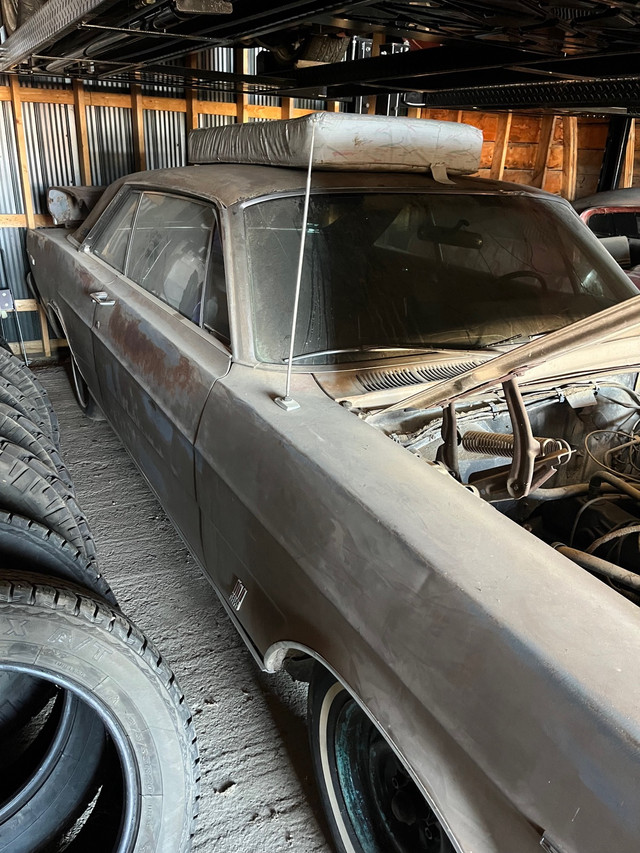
[(560, 154)]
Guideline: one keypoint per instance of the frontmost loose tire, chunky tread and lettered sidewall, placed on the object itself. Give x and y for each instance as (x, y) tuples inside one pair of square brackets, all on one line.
[(91, 650)]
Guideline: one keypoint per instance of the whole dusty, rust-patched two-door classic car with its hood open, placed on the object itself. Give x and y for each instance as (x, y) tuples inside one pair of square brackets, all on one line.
[(395, 414)]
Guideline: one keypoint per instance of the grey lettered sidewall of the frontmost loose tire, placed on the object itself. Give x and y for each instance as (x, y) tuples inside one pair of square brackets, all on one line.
[(86, 657)]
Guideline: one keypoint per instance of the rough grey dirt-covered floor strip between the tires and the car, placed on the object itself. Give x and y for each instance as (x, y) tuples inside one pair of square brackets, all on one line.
[(258, 794)]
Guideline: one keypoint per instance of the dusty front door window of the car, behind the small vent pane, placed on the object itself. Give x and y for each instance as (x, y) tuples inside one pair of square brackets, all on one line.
[(169, 249)]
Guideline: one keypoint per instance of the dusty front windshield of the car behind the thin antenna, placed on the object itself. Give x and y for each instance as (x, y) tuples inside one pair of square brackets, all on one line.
[(386, 271)]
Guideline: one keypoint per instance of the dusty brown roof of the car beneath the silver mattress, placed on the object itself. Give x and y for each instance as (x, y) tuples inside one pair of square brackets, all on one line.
[(230, 183)]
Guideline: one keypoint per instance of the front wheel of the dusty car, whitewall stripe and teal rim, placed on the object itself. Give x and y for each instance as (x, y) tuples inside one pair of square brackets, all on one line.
[(372, 804)]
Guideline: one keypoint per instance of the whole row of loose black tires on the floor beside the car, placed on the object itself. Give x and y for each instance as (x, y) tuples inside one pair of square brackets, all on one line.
[(97, 743)]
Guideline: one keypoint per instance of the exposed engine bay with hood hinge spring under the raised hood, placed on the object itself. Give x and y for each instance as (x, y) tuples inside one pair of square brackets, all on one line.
[(563, 462)]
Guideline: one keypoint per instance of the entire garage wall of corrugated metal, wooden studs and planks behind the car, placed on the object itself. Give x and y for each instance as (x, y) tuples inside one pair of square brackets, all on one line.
[(55, 131)]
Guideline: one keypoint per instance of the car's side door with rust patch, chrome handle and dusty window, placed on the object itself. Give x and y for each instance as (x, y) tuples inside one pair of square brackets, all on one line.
[(156, 362)]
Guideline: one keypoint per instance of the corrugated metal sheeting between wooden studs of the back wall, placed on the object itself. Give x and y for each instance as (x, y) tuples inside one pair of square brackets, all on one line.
[(53, 157)]
